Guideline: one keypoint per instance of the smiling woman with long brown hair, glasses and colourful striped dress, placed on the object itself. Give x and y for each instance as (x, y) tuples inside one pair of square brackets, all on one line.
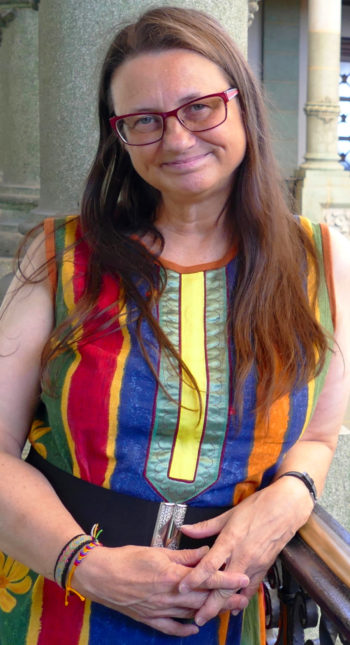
[(187, 357)]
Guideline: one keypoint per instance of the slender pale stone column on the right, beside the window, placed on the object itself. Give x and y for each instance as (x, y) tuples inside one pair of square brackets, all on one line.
[(323, 183)]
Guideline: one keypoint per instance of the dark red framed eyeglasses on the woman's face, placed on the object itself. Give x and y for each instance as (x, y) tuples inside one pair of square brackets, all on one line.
[(144, 128)]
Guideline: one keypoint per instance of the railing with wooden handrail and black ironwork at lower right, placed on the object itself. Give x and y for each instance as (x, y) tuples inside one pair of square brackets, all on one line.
[(312, 571)]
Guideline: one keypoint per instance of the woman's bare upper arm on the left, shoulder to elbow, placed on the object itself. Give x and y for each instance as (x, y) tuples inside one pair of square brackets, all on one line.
[(26, 322)]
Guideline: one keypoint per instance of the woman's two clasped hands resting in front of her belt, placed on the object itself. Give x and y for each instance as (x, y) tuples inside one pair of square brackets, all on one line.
[(158, 586)]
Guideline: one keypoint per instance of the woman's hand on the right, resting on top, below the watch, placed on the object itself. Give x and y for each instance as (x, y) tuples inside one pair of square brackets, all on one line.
[(250, 536)]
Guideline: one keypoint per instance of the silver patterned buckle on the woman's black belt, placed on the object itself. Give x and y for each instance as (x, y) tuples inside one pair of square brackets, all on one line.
[(167, 528)]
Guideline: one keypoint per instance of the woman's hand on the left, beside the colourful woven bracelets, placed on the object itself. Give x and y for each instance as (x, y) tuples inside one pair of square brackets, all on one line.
[(142, 582)]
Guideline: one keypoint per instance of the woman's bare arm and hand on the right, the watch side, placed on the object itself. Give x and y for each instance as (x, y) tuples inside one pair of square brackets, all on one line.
[(253, 533)]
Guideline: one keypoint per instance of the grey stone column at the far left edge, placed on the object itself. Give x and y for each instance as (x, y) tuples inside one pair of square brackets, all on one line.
[(19, 101)]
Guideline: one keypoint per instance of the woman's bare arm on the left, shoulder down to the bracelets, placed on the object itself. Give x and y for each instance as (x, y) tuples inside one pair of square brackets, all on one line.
[(25, 324)]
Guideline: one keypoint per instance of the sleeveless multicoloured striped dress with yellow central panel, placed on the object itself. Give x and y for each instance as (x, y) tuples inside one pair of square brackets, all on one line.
[(110, 423)]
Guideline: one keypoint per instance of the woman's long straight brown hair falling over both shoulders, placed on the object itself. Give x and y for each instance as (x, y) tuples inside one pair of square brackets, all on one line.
[(272, 246)]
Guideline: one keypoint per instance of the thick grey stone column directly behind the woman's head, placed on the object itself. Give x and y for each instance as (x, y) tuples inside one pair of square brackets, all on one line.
[(72, 41)]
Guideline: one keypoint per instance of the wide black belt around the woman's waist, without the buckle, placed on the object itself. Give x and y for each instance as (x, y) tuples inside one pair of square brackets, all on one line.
[(123, 518)]
